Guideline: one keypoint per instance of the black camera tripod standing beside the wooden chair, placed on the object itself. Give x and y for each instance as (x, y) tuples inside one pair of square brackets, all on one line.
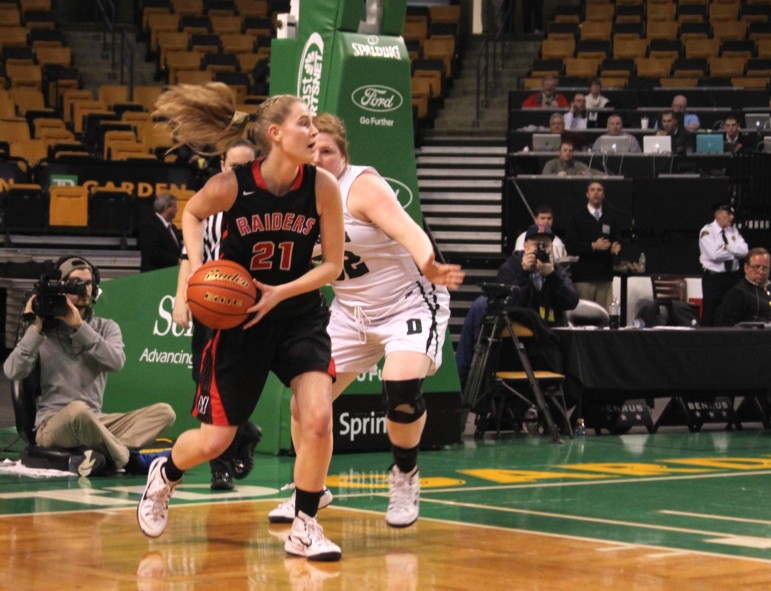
[(485, 384)]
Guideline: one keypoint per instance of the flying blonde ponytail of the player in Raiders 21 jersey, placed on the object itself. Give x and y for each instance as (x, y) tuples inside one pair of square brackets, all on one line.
[(206, 115)]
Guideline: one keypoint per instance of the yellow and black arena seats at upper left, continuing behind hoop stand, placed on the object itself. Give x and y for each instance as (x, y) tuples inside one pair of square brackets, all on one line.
[(54, 133)]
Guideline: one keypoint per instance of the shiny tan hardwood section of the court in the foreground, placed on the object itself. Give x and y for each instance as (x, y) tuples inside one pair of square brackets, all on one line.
[(230, 546)]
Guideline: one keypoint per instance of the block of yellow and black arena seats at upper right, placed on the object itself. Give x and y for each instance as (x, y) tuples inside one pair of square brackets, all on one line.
[(669, 29)]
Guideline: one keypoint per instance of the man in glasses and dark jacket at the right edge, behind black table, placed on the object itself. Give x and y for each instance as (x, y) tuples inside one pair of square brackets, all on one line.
[(750, 299)]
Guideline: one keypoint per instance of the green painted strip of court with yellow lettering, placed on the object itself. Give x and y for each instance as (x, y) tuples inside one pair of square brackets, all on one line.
[(705, 492)]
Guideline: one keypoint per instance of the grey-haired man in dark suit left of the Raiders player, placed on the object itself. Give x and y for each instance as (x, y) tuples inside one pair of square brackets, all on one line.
[(160, 243)]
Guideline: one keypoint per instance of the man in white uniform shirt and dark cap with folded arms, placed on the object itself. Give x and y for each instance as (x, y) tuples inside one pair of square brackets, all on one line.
[(721, 246)]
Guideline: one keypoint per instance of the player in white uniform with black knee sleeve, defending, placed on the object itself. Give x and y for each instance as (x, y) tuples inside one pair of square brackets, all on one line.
[(392, 300)]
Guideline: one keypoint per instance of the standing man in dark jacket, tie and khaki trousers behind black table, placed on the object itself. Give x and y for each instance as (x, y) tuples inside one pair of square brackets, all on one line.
[(593, 235)]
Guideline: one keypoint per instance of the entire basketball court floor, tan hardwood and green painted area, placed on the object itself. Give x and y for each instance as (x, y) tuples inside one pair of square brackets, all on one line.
[(666, 511)]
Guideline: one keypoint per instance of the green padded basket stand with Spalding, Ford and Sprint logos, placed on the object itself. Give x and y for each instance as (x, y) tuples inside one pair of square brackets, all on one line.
[(365, 79)]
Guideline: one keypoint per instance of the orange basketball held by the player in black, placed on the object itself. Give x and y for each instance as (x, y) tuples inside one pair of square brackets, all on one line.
[(219, 293)]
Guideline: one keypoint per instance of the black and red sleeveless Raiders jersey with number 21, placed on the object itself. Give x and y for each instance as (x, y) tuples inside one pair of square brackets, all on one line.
[(274, 236)]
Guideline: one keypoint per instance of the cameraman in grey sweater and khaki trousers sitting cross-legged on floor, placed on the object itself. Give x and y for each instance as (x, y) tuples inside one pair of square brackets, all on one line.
[(75, 350)]
